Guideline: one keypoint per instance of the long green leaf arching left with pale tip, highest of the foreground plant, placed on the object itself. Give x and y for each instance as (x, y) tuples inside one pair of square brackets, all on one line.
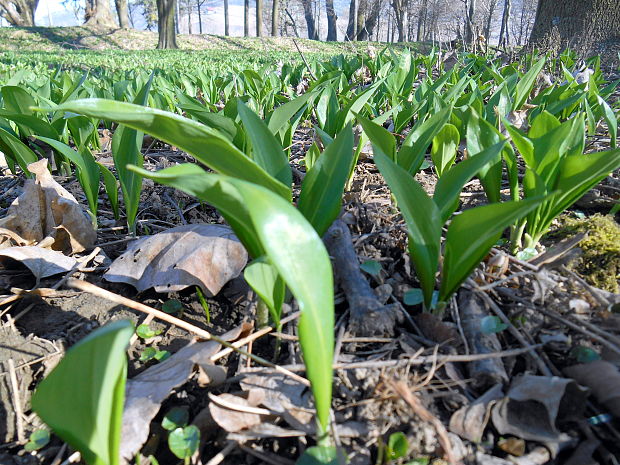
[(204, 143)]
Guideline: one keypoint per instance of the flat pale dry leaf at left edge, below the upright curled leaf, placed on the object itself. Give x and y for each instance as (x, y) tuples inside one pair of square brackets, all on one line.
[(41, 262)]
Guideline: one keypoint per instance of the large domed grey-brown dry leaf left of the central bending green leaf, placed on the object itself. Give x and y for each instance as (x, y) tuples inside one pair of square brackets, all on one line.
[(205, 255)]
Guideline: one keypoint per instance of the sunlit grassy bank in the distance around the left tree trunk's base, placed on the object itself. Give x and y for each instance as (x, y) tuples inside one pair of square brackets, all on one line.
[(124, 49)]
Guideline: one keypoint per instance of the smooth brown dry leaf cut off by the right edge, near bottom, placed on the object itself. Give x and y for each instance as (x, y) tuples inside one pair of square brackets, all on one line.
[(603, 379)]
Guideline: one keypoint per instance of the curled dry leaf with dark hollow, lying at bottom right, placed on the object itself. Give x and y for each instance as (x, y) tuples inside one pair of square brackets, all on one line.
[(535, 404)]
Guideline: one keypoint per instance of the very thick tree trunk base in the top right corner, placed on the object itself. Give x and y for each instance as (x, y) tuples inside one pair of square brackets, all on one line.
[(578, 24)]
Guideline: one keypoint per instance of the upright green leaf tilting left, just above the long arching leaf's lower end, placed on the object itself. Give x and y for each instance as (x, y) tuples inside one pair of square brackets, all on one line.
[(266, 149)]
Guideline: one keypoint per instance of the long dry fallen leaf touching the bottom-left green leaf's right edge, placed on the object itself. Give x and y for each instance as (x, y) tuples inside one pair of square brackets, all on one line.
[(145, 392)]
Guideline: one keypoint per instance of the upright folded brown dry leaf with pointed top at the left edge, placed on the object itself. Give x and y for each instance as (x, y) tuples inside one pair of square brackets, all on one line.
[(46, 210)]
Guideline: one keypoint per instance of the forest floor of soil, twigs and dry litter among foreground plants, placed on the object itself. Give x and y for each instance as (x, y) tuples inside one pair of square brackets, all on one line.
[(460, 393)]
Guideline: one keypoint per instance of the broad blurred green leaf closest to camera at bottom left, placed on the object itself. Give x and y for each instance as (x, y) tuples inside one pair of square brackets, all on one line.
[(82, 398)]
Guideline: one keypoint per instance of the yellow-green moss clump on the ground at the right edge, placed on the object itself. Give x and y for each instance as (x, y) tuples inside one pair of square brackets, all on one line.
[(600, 263)]
